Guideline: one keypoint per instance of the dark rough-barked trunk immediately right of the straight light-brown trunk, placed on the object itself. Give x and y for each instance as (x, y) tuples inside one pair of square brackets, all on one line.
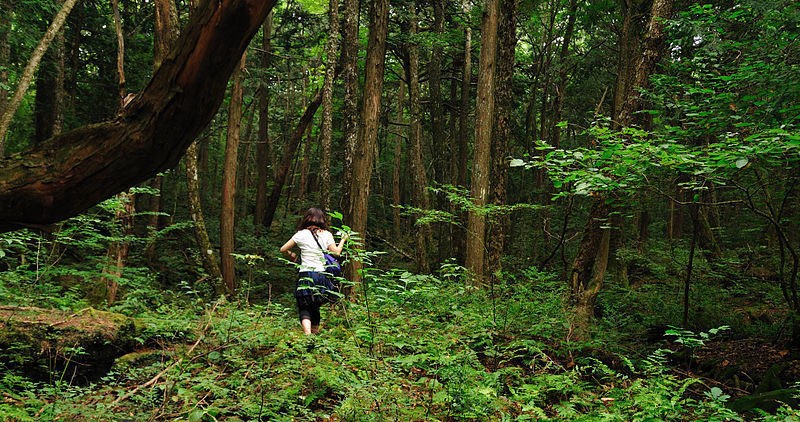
[(504, 100)]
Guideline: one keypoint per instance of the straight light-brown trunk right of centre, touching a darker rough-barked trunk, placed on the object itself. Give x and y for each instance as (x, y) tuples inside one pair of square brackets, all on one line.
[(484, 114)]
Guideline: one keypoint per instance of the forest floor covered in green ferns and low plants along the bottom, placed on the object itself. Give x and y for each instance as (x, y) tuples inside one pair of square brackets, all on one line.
[(403, 352)]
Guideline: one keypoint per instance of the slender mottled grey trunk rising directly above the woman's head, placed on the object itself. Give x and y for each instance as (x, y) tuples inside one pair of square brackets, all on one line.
[(326, 135)]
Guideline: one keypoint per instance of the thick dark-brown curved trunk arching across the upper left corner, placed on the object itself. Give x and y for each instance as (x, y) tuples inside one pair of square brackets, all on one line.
[(73, 171)]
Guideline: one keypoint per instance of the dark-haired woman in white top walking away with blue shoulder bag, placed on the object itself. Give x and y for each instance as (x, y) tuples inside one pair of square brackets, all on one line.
[(312, 237)]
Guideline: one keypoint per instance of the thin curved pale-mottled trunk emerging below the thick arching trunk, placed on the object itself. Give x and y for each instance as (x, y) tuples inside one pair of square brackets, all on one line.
[(209, 260)]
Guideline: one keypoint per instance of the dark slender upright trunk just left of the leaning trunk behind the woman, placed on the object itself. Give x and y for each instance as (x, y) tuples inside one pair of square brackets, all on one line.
[(264, 158)]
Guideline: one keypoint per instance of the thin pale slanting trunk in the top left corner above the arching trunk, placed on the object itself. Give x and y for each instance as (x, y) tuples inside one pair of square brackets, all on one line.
[(27, 74)]
